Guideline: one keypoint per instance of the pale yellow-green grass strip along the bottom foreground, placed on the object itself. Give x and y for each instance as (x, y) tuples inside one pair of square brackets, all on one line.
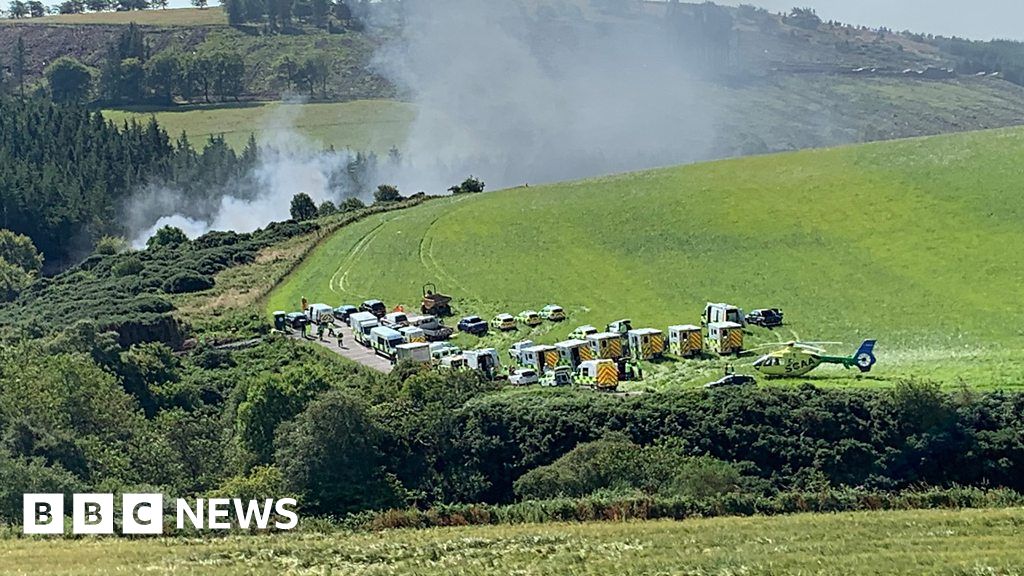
[(968, 543)]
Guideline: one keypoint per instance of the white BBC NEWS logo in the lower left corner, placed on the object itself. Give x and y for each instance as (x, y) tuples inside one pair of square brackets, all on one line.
[(144, 514)]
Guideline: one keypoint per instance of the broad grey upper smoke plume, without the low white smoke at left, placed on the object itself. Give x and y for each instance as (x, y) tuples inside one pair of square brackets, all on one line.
[(517, 96)]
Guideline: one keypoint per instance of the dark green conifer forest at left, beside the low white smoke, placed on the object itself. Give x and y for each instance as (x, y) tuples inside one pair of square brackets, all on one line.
[(66, 173)]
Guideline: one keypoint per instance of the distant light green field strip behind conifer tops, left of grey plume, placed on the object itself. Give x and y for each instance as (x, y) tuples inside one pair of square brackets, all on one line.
[(363, 126)]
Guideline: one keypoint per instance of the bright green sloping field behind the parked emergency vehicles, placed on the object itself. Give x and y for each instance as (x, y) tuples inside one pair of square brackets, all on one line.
[(917, 243)]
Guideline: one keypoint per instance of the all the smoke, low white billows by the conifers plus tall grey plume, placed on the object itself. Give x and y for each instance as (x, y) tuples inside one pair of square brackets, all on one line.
[(513, 93)]
